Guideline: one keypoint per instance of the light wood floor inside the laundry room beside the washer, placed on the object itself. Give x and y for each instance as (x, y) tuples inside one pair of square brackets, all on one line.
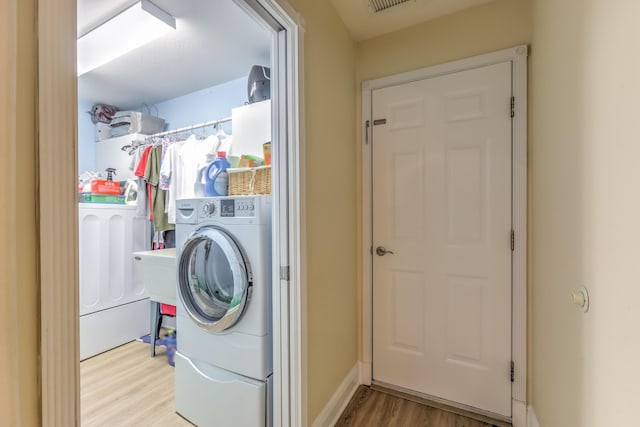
[(127, 387)]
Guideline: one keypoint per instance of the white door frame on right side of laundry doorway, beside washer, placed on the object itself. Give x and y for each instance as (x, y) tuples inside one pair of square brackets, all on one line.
[(289, 299)]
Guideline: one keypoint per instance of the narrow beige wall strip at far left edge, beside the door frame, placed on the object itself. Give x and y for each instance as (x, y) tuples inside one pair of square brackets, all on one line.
[(19, 403)]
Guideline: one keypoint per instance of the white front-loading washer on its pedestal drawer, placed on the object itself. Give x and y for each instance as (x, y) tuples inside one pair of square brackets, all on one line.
[(223, 365)]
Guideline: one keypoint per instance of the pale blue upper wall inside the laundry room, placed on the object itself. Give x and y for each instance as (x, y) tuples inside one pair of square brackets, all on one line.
[(204, 105)]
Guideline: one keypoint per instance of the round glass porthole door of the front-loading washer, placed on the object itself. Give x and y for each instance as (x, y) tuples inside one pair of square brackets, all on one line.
[(213, 279)]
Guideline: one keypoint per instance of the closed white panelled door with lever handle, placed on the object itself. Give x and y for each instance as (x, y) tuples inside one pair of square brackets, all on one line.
[(442, 206)]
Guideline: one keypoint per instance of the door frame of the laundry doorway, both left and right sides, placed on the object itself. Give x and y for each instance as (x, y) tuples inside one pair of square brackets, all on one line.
[(58, 216)]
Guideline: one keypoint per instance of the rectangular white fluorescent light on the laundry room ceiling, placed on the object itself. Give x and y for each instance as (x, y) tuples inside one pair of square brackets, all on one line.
[(134, 27)]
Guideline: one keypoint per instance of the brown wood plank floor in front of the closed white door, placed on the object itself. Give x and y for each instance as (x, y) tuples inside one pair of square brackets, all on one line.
[(370, 407)]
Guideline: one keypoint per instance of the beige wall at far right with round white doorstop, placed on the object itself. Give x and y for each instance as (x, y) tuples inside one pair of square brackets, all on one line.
[(584, 161)]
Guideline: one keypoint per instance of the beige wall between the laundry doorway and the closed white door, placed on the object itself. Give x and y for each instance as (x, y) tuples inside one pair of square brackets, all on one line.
[(329, 103)]
